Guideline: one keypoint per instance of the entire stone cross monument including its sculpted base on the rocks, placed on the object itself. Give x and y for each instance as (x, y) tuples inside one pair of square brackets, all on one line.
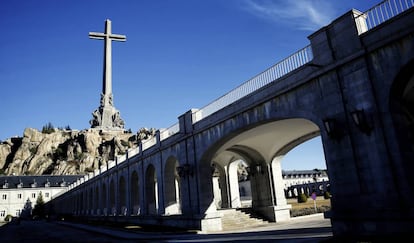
[(106, 117)]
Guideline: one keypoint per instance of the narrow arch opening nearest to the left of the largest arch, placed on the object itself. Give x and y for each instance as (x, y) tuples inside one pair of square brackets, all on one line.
[(172, 190)]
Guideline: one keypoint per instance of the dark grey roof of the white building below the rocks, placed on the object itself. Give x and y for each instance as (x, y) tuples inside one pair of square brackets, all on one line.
[(10, 182)]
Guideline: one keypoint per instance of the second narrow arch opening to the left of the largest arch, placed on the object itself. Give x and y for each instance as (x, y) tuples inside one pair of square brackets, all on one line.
[(151, 190)]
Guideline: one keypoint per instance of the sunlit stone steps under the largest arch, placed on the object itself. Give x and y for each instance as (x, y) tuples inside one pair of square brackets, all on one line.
[(242, 218)]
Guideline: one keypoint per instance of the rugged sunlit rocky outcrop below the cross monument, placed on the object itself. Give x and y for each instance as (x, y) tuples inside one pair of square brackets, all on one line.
[(65, 152)]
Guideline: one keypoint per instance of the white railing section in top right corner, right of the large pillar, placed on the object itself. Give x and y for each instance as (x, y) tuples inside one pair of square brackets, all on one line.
[(381, 12)]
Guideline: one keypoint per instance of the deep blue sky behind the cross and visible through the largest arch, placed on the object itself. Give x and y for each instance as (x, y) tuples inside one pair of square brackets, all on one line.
[(179, 54)]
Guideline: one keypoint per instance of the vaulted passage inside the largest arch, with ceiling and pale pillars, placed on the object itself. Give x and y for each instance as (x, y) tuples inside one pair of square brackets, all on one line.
[(260, 150)]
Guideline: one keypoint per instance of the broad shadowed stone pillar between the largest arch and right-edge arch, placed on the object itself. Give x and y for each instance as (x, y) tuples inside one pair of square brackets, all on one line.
[(364, 189)]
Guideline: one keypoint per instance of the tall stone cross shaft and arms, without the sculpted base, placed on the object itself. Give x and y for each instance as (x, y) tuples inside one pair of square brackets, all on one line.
[(108, 37)]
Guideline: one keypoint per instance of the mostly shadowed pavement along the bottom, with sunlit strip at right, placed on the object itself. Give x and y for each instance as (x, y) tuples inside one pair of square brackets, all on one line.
[(313, 228)]
